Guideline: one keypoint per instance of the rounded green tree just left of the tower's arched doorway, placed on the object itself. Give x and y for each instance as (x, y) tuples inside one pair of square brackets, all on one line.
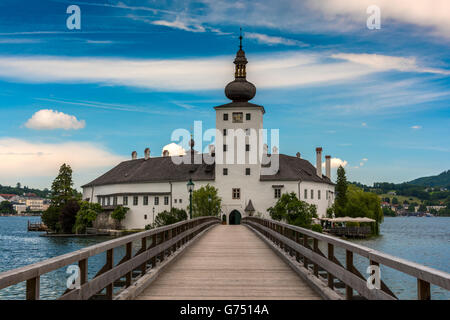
[(206, 202)]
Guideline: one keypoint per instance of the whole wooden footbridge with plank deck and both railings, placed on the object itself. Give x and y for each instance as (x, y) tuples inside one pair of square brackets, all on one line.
[(201, 259)]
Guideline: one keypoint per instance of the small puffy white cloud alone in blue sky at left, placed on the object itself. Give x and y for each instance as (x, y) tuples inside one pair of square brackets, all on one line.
[(47, 119)]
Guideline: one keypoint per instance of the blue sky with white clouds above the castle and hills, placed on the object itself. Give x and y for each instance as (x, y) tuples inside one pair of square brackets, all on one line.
[(376, 100)]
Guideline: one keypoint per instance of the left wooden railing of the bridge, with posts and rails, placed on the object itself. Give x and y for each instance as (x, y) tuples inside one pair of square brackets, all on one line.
[(155, 246)]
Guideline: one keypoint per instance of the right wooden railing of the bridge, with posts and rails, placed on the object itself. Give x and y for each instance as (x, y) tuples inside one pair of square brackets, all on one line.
[(301, 247)]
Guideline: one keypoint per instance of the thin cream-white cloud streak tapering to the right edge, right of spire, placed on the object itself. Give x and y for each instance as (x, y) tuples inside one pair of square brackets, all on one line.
[(383, 63)]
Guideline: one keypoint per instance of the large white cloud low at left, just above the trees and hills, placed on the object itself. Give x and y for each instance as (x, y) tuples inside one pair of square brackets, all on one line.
[(23, 159)]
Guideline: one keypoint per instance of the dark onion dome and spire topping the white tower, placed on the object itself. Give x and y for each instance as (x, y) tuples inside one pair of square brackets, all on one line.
[(240, 89)]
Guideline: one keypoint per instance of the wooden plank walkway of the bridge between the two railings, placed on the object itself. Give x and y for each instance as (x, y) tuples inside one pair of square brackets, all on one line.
[(229, 262)]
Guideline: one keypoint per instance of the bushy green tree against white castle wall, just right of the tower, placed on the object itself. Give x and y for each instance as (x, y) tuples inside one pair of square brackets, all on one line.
[(293, 211)]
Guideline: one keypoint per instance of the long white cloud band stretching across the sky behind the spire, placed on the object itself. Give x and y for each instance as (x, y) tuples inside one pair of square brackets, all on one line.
[(287, 69)]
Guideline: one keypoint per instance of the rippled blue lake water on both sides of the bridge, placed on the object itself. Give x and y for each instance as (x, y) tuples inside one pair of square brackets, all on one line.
[(422, 240)]
